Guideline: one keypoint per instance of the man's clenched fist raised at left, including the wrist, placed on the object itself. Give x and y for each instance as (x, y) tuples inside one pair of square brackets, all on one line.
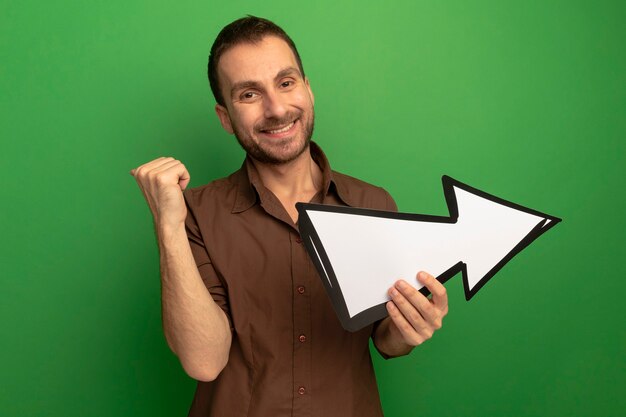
[(162, 182)]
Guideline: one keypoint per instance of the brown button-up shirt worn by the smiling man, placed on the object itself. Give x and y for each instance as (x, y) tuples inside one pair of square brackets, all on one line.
[(289, 354)]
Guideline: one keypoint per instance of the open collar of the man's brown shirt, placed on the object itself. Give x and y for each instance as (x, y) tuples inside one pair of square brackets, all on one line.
[(250, 187)]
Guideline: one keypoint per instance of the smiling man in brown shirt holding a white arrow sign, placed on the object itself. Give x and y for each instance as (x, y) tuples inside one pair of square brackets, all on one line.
[(243, 307)]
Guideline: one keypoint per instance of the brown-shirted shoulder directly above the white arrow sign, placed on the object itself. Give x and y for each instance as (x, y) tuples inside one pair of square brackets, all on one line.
[(358, 193)]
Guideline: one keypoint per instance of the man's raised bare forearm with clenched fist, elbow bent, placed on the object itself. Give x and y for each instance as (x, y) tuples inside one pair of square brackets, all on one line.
[(195, 327)]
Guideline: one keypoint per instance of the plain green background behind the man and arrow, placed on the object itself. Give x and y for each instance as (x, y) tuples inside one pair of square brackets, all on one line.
[(525, 100)]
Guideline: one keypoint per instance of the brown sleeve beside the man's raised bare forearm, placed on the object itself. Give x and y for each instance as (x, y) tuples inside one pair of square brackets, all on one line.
[(211, 280)]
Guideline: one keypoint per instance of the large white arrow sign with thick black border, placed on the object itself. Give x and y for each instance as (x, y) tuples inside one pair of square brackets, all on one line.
[(361, 253)]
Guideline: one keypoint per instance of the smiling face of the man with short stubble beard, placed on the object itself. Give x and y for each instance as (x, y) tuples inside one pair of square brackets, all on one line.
[(268, 105)]
